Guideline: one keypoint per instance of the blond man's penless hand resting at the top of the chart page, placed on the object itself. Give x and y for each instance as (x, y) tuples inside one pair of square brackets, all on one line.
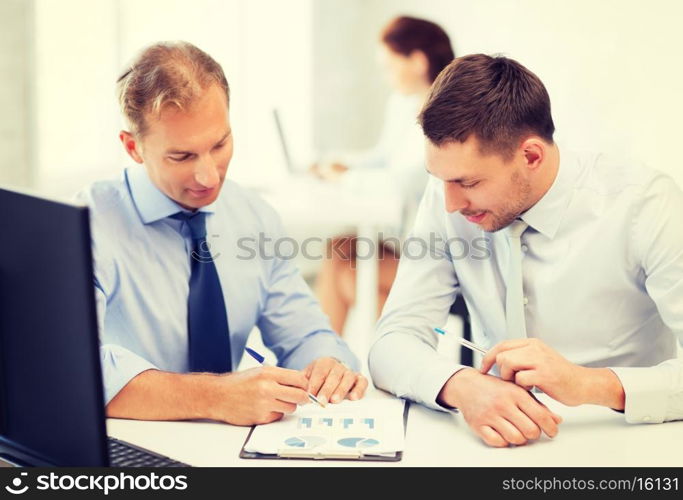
[(329, 380)]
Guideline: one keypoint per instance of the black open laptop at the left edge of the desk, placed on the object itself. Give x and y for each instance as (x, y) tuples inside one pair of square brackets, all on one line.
[(51, 394)]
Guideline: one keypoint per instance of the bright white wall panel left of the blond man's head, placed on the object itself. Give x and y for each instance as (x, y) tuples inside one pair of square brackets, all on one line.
[(76, 120)]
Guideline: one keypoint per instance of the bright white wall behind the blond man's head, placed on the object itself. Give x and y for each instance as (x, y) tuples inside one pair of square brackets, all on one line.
[(82, 46)]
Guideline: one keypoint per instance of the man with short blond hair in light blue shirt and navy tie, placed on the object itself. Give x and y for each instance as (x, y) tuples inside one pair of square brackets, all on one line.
[(176, 299)]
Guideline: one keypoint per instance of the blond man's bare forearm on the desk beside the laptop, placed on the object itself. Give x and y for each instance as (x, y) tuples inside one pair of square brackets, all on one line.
[(158, 395)]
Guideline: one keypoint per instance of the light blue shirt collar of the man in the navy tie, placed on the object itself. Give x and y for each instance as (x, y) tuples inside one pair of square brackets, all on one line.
[(151, 203)]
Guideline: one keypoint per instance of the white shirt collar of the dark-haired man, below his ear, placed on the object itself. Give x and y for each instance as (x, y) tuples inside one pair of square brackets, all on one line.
[(547, 214)]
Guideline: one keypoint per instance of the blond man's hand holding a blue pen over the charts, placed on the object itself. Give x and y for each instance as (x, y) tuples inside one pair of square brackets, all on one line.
[(256, 396)]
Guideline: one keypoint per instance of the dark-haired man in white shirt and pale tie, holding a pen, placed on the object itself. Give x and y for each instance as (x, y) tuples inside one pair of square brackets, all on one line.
[(580, 293)]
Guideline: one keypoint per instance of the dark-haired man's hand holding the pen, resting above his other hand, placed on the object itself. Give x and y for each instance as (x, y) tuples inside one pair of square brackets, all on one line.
[(530, 362)]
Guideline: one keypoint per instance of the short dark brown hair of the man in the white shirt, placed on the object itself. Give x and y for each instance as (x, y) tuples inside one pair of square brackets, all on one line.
[(495, 98)]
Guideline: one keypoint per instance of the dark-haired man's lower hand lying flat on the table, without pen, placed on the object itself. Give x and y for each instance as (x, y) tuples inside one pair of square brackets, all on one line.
[(499, 412)]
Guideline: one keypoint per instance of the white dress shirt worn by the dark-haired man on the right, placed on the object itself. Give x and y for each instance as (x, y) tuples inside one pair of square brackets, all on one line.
[(602, 276)]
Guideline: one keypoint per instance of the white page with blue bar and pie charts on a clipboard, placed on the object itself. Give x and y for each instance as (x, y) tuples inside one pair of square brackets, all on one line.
[(371, 427)]
